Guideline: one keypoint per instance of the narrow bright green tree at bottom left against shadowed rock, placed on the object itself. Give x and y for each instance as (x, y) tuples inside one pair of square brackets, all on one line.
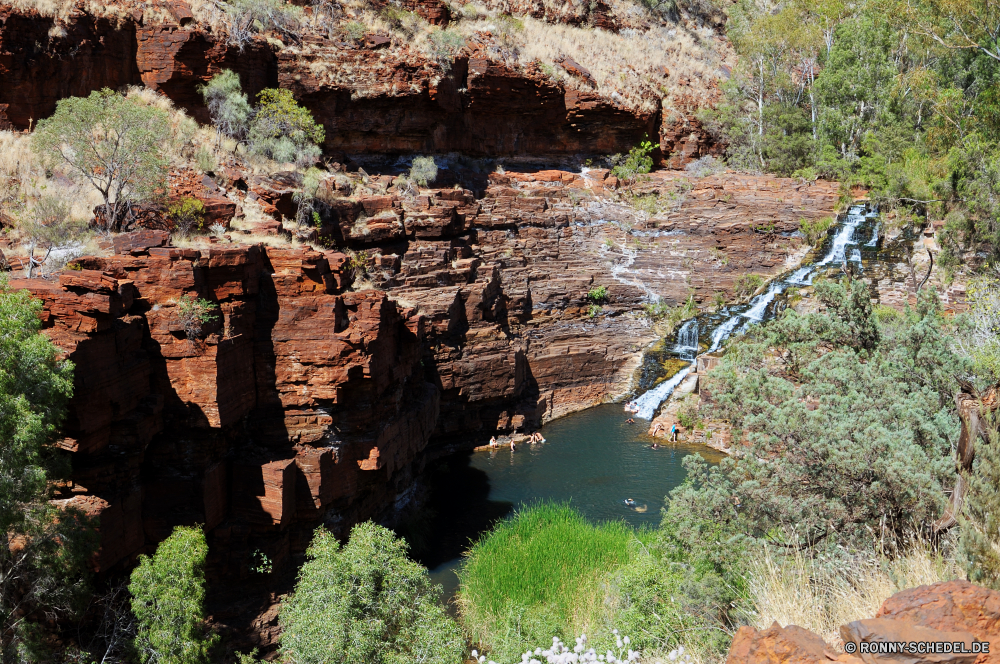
[(168, 591)]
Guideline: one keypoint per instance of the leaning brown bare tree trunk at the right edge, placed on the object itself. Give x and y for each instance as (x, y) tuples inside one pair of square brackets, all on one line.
[(975, 410)]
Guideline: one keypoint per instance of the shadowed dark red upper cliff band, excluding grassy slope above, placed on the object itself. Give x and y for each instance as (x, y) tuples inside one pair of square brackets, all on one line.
[(369, 98)]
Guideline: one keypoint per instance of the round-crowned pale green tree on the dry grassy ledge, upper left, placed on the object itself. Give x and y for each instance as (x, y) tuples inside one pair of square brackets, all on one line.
[(111, 141)]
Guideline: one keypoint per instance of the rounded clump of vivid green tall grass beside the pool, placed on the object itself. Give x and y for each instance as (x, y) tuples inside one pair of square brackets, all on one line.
[(540, 574)]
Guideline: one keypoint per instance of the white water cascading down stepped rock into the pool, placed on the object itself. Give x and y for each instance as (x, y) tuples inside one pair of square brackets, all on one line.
[(686, 347)]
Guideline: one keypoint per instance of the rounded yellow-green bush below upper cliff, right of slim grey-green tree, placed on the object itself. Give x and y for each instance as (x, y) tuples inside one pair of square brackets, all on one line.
[(284, 131)]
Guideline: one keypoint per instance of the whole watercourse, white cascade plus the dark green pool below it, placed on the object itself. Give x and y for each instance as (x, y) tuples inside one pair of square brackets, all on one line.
[(594, 459)]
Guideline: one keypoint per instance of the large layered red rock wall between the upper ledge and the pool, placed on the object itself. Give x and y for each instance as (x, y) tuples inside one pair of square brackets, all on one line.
[(317, 398)]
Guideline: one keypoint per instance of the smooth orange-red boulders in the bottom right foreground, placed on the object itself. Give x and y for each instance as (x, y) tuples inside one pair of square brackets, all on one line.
[(954, 612)]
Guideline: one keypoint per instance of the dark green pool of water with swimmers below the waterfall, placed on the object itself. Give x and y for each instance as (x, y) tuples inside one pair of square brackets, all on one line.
[(592, 459)]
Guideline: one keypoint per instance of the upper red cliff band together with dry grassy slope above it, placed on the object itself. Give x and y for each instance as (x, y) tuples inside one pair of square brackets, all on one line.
[(391, 78)]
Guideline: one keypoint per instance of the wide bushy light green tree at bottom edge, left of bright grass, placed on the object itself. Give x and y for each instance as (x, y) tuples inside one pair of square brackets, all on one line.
[(366, 603)]
